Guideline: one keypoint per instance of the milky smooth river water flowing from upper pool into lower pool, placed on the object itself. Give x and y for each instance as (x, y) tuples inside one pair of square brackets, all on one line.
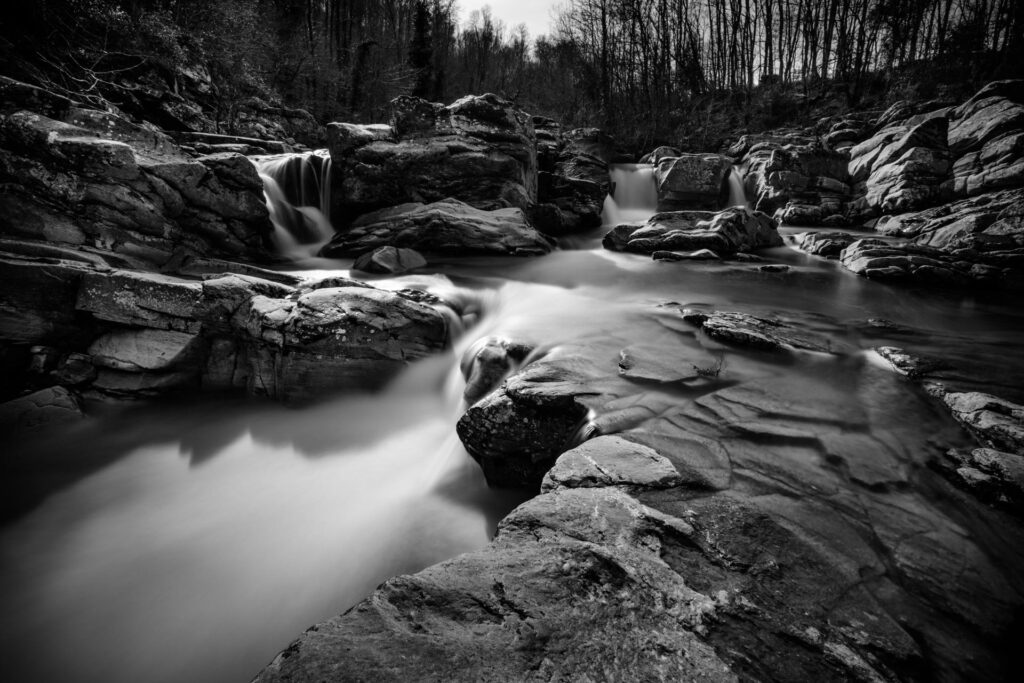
[(191, 543)]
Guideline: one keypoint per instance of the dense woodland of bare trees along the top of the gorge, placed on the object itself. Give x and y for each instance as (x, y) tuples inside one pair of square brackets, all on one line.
[(650, 71)]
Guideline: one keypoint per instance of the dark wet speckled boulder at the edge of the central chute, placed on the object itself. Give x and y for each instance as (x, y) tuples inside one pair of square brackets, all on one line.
[(518, 432)]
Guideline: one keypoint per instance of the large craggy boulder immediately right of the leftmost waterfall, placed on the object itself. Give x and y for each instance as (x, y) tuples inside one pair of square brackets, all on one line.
[(481, 151)]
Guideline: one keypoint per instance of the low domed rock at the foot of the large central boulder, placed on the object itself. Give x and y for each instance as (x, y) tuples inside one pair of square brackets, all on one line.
[(448, 228)]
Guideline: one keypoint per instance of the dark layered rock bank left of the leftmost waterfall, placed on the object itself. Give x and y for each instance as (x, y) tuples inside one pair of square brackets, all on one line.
[(78, 177)]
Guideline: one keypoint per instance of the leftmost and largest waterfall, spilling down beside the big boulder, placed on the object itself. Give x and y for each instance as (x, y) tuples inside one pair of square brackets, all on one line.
[(298, 196)]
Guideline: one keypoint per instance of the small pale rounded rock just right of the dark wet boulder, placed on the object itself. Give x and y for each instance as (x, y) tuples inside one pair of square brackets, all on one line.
[(611, 461)]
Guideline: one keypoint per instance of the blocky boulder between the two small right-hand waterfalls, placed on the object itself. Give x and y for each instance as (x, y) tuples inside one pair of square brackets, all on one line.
[(693, 182)]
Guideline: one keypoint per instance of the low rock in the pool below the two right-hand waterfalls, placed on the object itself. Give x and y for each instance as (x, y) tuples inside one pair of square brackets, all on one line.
[(726, 233)]
